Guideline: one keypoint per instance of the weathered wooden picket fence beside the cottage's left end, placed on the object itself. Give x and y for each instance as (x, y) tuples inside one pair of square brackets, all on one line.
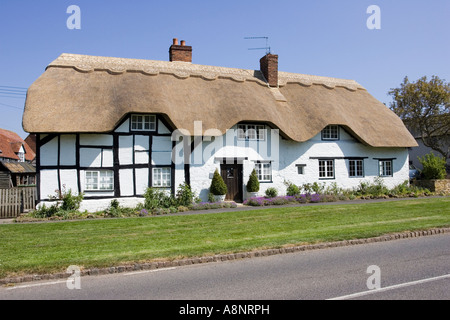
[(15, 201)]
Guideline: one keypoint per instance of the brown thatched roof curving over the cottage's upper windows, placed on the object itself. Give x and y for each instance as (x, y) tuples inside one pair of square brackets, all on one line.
[(80, 93)]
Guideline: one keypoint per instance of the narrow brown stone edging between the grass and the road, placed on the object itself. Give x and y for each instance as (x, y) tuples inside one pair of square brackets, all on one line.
[(224, 257)]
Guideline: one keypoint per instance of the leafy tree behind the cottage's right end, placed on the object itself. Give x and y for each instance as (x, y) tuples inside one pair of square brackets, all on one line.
[(424, 106)]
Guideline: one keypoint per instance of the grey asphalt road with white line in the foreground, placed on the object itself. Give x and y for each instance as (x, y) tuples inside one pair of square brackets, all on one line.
[(417, 268)]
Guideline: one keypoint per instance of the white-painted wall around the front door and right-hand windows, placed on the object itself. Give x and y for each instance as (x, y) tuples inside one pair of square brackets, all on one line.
[(289, 153)]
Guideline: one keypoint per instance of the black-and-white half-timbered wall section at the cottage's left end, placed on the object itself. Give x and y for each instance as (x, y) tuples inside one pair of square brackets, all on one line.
[(125, 158)]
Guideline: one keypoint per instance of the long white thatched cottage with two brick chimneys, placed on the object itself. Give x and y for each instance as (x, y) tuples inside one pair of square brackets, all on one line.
[(111, 127)]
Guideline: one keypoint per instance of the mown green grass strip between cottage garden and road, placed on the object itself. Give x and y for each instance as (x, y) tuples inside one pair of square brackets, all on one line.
[(52, 247)]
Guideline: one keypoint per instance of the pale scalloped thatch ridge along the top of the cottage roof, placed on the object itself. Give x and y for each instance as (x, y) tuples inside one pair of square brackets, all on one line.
[(183, 70)]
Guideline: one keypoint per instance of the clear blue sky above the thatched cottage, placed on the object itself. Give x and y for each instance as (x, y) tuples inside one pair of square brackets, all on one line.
[(327, 38)]
